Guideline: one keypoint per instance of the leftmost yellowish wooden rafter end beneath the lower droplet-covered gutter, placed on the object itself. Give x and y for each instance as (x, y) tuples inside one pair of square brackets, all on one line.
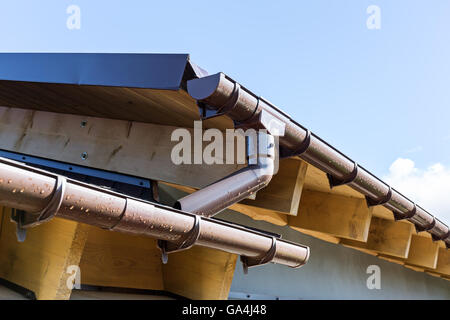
[(41, 263)]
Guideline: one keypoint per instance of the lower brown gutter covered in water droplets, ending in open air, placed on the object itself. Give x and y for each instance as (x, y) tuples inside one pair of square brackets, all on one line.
[(44, 195)]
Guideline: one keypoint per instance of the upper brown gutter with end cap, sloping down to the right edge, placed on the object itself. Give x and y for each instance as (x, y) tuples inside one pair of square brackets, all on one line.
[(218, 94)]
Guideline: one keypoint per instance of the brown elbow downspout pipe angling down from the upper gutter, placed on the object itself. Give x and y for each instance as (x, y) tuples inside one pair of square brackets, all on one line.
[(239, 185)]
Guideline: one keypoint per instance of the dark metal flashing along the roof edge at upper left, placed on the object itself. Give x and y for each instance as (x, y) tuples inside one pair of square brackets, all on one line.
[(152, 71)]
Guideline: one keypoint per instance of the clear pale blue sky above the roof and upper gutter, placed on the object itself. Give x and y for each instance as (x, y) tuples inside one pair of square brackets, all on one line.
[(377, 95)]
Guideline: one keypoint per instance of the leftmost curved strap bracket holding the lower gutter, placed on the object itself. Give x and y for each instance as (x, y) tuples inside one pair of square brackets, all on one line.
[(26, 220)]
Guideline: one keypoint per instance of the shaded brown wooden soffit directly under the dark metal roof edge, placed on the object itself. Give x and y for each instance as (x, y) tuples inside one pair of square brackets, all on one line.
[(168, 107)]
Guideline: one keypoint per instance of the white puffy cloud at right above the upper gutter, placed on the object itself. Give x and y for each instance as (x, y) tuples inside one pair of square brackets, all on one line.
[(429, 188)]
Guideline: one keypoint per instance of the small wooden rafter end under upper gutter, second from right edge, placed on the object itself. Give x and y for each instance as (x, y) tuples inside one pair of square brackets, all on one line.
[(423, 253)]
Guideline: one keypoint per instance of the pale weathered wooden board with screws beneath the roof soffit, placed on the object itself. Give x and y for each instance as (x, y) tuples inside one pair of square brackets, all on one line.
[(134, 148)]
